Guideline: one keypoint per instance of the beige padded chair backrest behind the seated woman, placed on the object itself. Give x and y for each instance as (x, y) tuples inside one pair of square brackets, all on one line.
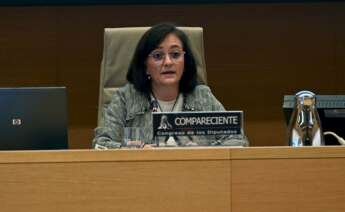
[(118, 50)]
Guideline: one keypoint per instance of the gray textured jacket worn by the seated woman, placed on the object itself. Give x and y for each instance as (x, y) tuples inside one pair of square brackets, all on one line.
[(130, 108)]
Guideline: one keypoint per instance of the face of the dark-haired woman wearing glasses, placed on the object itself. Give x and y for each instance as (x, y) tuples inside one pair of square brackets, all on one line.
[(165, 64)]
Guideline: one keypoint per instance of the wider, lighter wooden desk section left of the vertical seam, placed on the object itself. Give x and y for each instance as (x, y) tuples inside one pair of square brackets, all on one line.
[(140, 183)]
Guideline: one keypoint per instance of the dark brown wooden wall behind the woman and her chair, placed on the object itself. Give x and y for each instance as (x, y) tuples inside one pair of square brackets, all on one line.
[(255, 53)]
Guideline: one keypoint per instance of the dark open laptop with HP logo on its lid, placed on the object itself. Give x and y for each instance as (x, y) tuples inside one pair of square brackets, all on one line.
[(33, 118)]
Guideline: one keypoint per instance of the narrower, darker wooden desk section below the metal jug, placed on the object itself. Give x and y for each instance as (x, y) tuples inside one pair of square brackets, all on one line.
[(288, 179)]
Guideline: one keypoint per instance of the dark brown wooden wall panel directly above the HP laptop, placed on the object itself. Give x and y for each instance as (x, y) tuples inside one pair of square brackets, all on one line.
[(28, 44)]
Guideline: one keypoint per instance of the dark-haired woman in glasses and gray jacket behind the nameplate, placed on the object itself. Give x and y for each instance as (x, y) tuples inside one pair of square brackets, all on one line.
[(162, 77)]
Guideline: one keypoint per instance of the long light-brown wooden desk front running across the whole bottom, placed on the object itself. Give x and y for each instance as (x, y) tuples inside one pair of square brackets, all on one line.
[(188, 179)]
